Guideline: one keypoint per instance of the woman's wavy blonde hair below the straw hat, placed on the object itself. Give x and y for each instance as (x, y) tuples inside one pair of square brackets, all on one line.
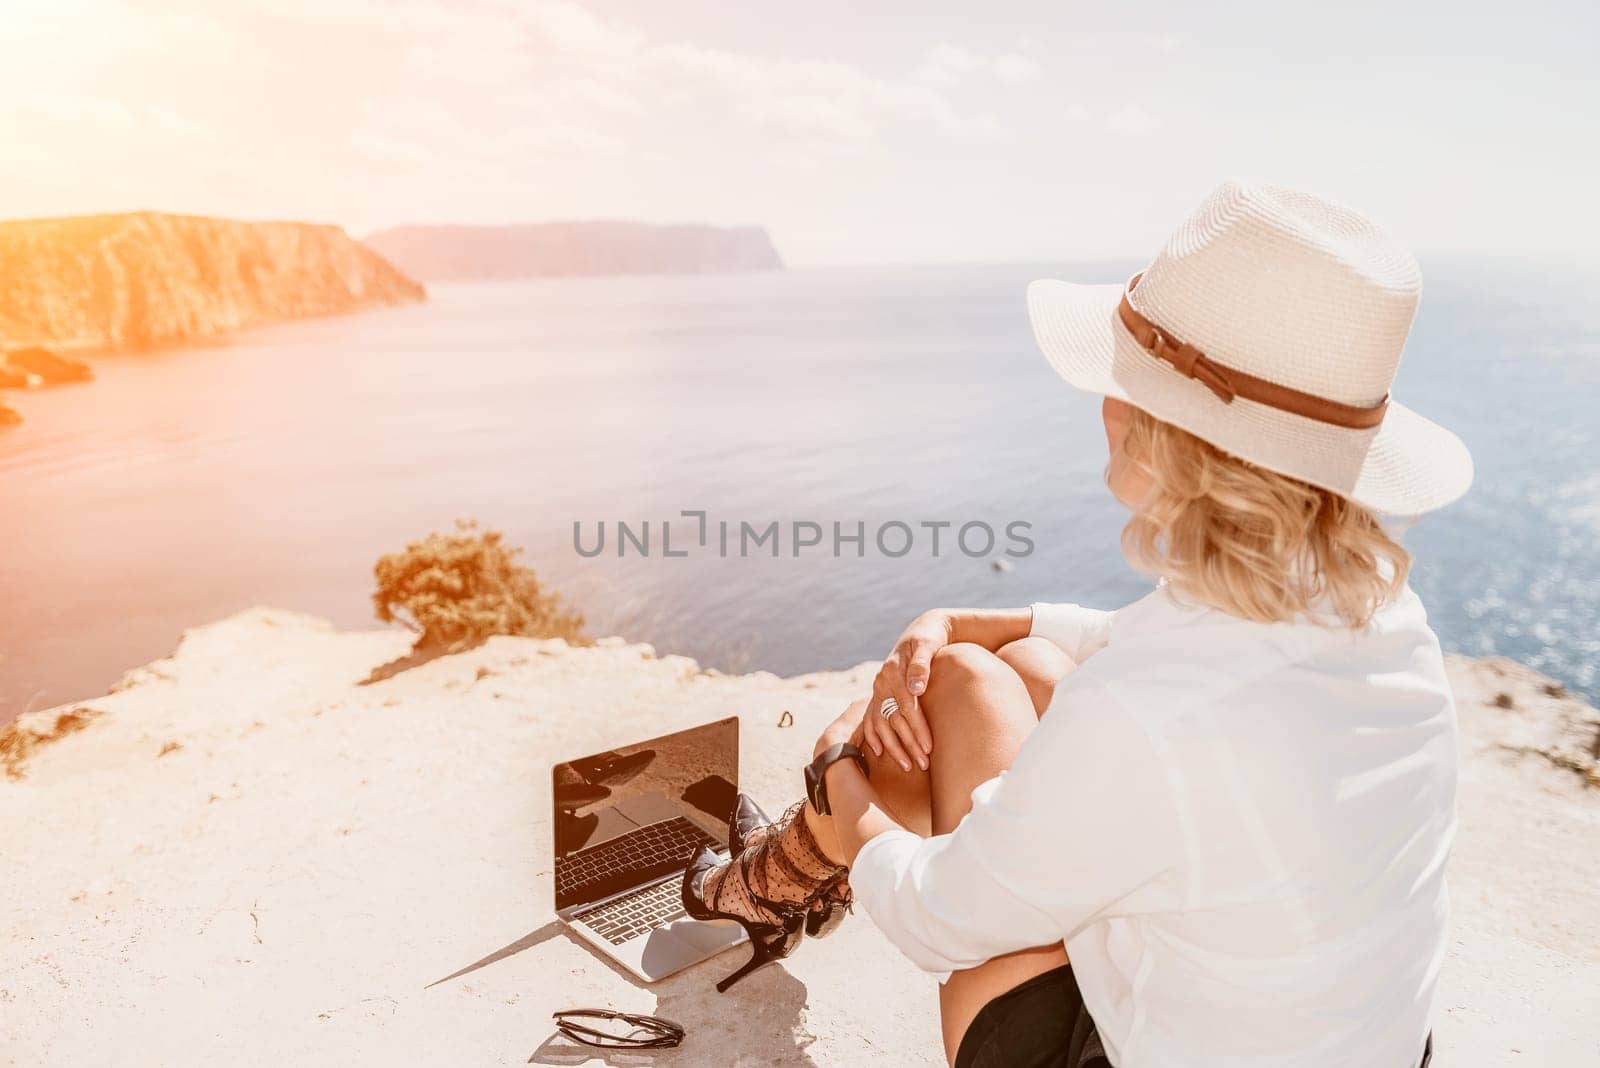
[(1252, 543)]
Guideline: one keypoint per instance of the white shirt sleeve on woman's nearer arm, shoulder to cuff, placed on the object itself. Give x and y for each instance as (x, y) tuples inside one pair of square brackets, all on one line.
[(1081, 827)]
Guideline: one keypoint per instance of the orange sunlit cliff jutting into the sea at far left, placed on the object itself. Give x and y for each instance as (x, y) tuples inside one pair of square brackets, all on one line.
[(151, 279)]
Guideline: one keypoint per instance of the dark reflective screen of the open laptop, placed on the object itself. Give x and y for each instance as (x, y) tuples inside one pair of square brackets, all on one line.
[(638, 813)]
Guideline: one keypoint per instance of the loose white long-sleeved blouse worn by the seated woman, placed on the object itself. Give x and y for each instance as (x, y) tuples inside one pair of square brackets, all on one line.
[(1238, 829)]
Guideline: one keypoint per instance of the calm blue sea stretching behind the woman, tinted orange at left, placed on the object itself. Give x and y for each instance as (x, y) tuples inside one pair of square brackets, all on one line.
[(183, 487)]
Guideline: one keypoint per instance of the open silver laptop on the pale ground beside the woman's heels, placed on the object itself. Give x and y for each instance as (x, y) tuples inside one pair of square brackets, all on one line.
[(626, 824)]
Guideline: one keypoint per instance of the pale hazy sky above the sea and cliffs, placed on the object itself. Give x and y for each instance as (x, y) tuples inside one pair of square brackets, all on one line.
[(858, 133)]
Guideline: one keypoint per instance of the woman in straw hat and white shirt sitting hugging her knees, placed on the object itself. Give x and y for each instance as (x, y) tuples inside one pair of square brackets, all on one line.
[(1209, 829)]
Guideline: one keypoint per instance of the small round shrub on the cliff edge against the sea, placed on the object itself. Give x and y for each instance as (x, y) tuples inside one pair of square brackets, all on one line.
[(457, 591)]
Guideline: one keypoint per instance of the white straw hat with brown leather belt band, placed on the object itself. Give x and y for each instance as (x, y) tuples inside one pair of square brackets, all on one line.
[(1271, 325)]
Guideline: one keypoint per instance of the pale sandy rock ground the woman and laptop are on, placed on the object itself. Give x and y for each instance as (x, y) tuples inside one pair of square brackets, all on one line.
[(246, 853)]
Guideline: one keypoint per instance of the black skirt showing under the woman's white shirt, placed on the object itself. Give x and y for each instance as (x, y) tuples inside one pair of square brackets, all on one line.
[(1038, 1024)]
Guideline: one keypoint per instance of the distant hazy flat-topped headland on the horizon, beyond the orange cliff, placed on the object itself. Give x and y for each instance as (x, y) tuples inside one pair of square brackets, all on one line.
[(574, 249)]
